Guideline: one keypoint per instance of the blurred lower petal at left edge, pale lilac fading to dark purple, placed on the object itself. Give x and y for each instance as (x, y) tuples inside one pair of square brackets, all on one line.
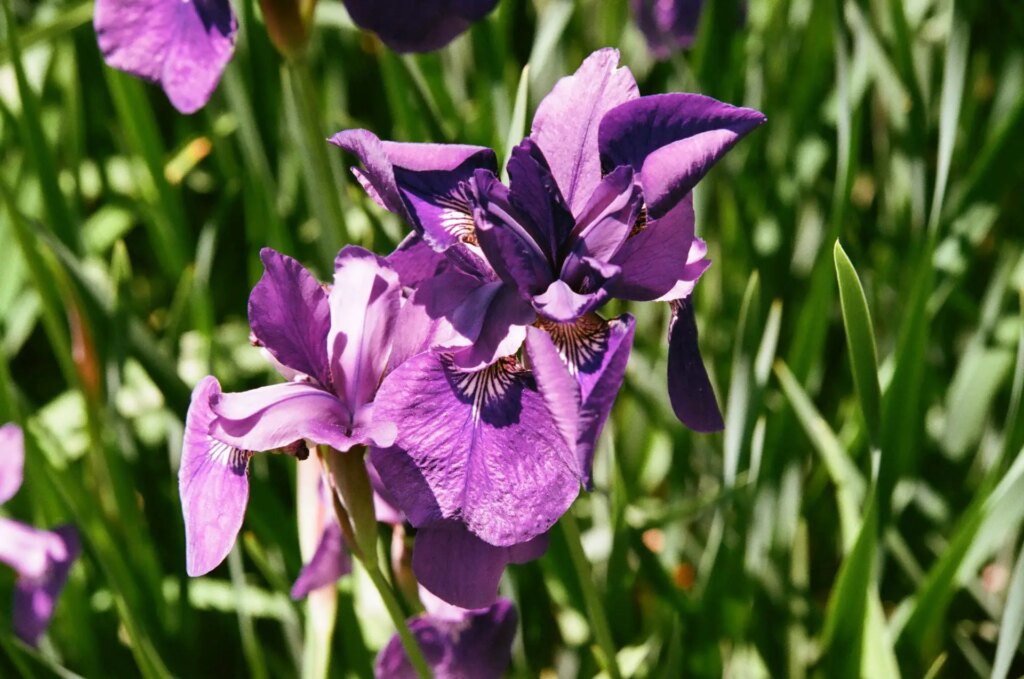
[(46, 559)]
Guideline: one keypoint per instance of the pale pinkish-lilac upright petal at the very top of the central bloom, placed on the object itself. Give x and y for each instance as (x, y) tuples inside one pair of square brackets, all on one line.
[(566, 126)]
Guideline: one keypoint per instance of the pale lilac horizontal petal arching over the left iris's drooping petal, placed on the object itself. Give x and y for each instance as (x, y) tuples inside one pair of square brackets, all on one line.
[(279, 415)]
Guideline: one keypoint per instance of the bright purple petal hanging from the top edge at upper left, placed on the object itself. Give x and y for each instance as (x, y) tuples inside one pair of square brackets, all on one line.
[(184, 46)]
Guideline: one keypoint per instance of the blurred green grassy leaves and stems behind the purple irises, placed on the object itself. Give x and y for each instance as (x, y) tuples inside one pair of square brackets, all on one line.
[(828, 532)]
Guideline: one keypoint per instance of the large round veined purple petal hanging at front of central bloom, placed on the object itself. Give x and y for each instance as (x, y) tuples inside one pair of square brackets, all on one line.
[(485, 445)]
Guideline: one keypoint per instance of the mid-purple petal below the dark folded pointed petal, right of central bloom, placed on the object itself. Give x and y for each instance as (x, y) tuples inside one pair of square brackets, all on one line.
[(662, 257)]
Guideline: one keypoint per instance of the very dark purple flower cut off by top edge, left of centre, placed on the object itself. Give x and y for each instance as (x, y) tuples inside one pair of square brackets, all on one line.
[(417, 26)]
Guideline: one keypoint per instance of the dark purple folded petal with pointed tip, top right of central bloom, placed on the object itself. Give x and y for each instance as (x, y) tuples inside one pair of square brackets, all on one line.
[(672, 141)]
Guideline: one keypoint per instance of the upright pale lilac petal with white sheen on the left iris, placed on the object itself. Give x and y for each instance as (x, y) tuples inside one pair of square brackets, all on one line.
[(365, 304)]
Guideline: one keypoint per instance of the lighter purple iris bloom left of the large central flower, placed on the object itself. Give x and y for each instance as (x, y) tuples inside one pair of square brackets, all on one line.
[(332, 346)]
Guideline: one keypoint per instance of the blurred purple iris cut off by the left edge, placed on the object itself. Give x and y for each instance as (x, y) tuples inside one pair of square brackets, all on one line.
[(42, 559)]
